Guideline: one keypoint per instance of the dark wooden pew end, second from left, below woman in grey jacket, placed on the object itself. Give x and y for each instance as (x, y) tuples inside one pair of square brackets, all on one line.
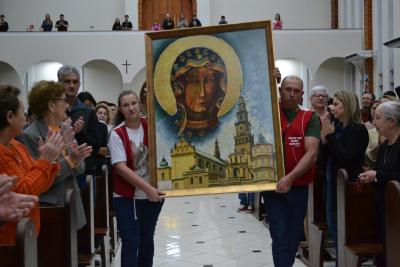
[(57, 241)]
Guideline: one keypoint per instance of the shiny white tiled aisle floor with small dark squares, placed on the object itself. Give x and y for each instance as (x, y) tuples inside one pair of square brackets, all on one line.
[(207, 231)]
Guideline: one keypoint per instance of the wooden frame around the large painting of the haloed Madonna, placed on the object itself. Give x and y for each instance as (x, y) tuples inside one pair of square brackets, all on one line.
[(149, 38)]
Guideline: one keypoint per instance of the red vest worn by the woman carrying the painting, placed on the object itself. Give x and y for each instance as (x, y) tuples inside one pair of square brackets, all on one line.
[(121, 186)]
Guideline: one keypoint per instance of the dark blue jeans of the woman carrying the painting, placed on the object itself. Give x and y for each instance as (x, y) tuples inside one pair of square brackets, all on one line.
[(137, 234)]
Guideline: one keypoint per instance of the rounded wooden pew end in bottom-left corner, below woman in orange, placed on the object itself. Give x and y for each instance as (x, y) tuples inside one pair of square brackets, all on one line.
[(24, 253)]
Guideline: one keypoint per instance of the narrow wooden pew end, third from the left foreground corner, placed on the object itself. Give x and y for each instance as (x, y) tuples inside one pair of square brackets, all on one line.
[(86, 234)]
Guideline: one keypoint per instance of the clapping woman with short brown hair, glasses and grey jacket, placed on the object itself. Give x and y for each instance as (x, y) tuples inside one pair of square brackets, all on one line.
[(49, 103)]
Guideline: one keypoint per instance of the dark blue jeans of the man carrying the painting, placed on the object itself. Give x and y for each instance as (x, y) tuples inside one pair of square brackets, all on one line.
[(286, 213)]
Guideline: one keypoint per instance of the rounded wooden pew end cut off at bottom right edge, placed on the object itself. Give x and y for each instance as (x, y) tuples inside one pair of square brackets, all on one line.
[(392, 224)]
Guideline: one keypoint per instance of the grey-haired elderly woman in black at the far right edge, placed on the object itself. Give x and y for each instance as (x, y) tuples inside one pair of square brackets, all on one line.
[(387, 122)]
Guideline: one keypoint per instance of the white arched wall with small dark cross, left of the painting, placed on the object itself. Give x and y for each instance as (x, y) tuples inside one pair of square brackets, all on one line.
[(74, 48)]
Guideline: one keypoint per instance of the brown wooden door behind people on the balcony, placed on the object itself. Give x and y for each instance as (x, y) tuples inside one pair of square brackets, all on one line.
[(152, 10)]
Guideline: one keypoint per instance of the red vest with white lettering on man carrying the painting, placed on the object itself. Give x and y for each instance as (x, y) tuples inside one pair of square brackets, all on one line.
[(294, 134)]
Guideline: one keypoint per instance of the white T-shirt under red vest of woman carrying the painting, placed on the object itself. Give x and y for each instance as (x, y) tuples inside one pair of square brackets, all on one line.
[(140, 154)]
